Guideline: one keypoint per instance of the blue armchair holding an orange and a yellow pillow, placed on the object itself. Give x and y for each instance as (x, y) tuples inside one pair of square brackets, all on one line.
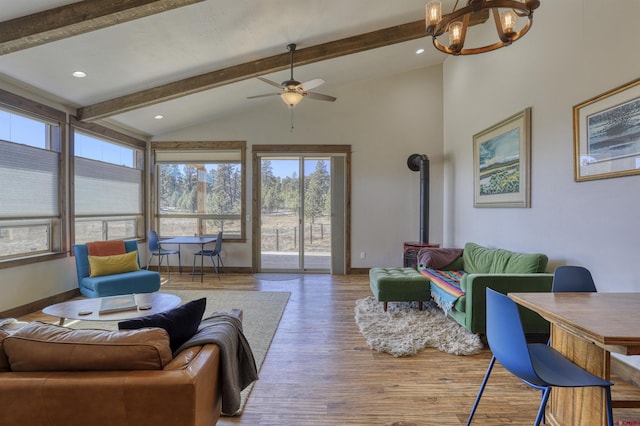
[(141, 281)]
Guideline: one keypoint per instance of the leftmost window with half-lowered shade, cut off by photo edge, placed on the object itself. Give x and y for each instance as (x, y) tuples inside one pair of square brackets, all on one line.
[(30, 171)]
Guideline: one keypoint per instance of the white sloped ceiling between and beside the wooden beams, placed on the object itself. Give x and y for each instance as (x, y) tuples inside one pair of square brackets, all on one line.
[(204, 37)]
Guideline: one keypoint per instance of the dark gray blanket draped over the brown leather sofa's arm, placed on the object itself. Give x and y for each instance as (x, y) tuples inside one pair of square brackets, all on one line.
[(237, 364)]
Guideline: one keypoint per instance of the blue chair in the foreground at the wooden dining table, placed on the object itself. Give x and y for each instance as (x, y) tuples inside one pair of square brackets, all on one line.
[(536, 364)]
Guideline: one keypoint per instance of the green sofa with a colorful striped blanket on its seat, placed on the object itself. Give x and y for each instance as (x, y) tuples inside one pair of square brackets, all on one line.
[(459, 286)]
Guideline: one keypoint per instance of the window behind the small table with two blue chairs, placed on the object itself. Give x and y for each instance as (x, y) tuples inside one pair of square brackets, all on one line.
[(199, 188)]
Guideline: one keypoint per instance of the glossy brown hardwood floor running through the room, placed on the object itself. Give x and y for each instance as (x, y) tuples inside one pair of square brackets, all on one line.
[(319, 371)]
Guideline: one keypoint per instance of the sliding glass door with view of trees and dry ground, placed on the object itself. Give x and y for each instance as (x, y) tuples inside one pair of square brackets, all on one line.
[(295, 213)]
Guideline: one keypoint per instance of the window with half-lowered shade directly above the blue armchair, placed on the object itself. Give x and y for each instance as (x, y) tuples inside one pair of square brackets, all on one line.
[(108, 187)]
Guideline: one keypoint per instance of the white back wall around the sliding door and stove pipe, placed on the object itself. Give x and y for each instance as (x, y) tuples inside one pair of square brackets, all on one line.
[(384, 121)]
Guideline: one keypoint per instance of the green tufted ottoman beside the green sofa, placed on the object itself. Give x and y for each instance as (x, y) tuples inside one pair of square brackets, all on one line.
[(399, 285)]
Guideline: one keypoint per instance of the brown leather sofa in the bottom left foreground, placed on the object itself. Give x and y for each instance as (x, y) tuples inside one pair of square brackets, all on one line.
[(52, 376)]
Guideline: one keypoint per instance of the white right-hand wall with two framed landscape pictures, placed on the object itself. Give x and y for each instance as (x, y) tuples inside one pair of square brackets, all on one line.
[(575, 51)]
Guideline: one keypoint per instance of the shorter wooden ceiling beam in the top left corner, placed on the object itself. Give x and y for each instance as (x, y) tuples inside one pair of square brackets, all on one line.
[(76, 18)]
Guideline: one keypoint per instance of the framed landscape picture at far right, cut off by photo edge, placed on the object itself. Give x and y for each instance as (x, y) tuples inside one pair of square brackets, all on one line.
[(606, 133)]
